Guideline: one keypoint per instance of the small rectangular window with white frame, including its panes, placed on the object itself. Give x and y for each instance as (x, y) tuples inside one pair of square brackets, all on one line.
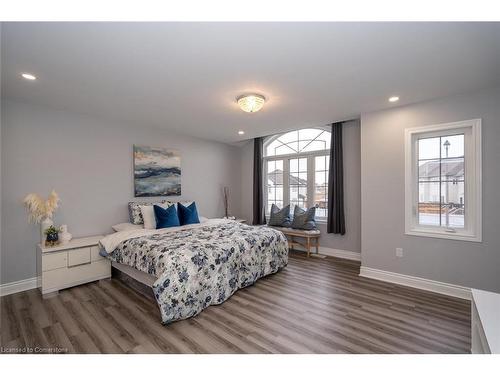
[(443, 181)]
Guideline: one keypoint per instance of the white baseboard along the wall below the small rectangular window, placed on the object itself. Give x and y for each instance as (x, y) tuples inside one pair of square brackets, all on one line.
[(417, 282)]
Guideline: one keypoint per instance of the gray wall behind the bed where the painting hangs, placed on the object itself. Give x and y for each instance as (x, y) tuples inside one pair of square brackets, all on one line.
[(89, 162)]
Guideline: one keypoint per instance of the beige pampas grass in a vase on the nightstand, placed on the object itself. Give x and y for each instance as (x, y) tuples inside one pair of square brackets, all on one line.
[(41, 211)]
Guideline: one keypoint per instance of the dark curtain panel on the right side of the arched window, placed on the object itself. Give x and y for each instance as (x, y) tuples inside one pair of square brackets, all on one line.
[(336, 217)]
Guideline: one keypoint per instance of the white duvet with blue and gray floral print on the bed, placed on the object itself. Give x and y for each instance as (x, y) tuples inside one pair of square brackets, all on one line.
[(199, 265)]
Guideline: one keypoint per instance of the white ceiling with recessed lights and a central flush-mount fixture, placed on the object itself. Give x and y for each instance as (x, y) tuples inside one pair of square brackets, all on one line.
[(185, 76)]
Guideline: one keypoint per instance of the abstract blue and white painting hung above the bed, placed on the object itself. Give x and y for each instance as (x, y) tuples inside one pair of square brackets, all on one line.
[(157, 171)]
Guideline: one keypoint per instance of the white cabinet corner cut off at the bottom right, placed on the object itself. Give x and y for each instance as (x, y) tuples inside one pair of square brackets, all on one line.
[(485, 323)]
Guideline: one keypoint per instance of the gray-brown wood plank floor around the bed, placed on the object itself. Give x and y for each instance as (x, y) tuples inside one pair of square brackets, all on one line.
[(312, 306)]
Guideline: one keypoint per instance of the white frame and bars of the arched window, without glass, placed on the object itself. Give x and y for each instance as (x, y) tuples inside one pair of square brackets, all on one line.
[(311, 171)]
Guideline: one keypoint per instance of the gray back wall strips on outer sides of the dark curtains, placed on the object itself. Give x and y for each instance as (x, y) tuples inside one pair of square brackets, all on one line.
[(352, 185)]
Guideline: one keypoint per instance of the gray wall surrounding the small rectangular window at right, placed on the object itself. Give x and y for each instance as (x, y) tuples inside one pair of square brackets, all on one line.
[(382, 189)]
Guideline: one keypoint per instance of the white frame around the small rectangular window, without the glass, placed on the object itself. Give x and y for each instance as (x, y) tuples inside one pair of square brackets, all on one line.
[(472, 230)]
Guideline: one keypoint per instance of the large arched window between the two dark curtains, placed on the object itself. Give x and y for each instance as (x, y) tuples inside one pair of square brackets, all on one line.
[(296, 169)]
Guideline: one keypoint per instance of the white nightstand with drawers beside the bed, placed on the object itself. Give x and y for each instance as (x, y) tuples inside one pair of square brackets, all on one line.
[(74, 263)]
